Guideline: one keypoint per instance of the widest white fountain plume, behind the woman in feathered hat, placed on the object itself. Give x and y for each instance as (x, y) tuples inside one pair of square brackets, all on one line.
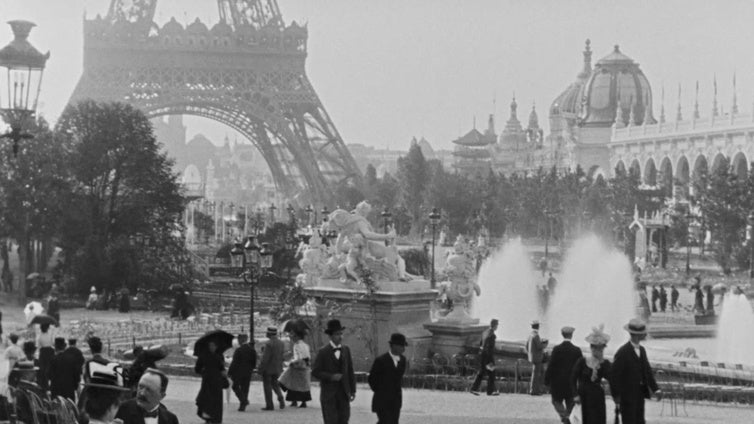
[(595, 287)]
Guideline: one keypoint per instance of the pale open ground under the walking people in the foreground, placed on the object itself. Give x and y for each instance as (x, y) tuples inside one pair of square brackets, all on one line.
[(435, 407)]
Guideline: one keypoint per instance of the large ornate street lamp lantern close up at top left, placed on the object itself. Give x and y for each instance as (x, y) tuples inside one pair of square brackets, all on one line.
[(21, 69)]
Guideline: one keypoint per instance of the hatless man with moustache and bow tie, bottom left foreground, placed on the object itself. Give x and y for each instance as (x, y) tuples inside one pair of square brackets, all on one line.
[(146, 408)]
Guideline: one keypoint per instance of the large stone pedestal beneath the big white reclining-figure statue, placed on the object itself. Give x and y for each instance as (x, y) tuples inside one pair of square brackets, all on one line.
[(369, 320)]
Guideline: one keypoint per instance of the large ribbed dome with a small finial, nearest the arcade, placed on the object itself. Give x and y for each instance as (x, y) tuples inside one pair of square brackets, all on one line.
[(616, 83)]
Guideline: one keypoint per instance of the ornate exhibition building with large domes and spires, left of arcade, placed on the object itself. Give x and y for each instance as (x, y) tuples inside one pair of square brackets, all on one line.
[(615, 93)]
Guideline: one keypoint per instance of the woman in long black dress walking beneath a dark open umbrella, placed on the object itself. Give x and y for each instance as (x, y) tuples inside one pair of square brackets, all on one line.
[(209, 401)]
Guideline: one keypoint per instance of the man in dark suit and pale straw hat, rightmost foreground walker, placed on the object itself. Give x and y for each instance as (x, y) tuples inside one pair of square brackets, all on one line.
[(632, 379)]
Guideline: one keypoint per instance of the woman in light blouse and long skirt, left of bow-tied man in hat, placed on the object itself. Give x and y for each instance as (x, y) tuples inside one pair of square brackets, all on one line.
[(297, 378)]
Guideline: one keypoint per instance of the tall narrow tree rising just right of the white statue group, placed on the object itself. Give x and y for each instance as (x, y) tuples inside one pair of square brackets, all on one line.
[(413, 176)]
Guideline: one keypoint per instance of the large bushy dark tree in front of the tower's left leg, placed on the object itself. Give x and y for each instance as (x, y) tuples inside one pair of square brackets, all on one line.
[(124, 197)]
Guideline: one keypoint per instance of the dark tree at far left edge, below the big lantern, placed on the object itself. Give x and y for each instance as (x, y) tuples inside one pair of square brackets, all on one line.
[(34, 185)]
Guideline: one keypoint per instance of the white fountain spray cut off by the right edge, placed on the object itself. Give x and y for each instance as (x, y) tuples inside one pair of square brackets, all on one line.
[(735, 340)]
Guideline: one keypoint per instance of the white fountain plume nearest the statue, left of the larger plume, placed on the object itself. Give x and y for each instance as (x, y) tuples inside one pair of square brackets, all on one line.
[(509, 291)]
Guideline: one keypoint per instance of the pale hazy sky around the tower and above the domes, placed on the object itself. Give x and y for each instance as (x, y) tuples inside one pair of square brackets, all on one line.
[(387, 70)]
